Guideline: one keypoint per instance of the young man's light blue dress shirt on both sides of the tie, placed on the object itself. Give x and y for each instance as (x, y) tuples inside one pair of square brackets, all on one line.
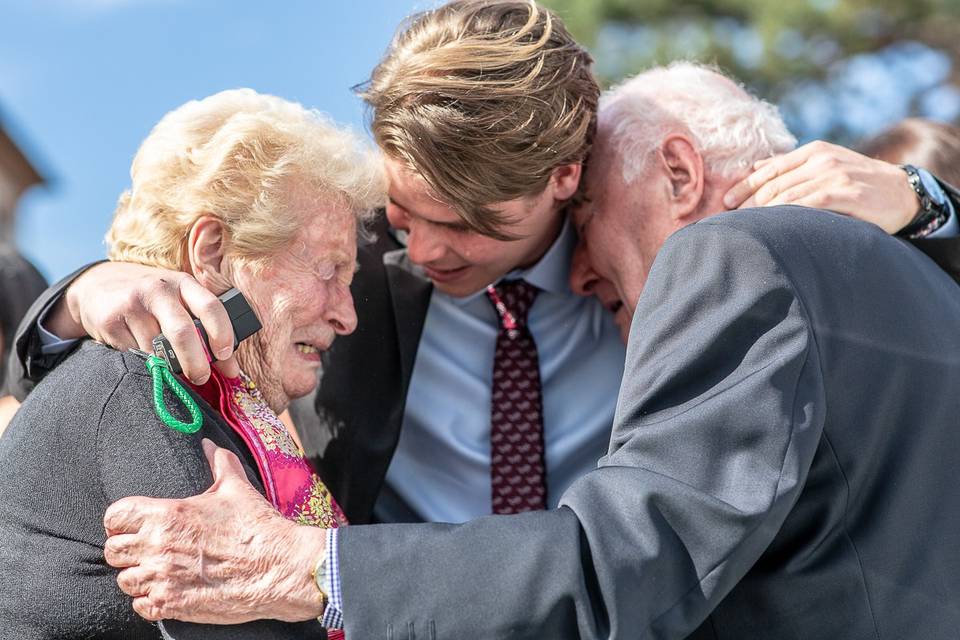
[(441, 467)]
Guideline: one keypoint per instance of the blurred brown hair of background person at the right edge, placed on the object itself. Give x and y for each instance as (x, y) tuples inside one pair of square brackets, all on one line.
[(935, 146)]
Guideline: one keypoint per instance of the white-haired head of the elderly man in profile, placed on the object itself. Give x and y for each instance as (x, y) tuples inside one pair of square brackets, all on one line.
[(709, 115)]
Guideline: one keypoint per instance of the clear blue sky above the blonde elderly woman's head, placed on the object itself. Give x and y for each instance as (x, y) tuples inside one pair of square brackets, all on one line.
[(83, 81)]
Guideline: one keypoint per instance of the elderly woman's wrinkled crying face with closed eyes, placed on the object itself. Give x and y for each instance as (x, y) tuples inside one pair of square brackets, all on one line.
[(302, 298)]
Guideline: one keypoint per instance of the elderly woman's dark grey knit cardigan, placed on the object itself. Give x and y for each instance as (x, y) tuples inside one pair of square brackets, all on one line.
[(85, 437)]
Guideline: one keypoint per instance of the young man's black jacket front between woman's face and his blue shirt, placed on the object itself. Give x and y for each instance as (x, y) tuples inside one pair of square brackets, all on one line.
[(351, 424)]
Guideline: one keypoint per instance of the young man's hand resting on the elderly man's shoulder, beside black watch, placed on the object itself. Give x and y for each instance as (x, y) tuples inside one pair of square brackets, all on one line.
[(827, 176)]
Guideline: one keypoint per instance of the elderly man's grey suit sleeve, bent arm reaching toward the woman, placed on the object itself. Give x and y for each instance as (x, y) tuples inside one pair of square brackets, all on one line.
[(718, 420)]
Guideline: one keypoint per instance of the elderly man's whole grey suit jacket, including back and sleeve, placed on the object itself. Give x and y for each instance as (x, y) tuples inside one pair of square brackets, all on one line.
[(782, 464)]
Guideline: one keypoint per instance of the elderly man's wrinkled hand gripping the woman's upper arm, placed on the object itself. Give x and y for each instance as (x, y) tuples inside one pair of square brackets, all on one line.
[(223, 557)]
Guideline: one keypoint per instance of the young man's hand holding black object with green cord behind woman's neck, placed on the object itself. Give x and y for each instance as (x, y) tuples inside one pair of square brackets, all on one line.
[(126, 305)]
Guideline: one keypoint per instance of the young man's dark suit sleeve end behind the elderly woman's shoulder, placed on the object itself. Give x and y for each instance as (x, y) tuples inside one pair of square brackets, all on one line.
[(27, 364)]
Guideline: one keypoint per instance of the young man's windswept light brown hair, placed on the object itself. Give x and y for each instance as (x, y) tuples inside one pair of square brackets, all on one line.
[(483, 99)]
